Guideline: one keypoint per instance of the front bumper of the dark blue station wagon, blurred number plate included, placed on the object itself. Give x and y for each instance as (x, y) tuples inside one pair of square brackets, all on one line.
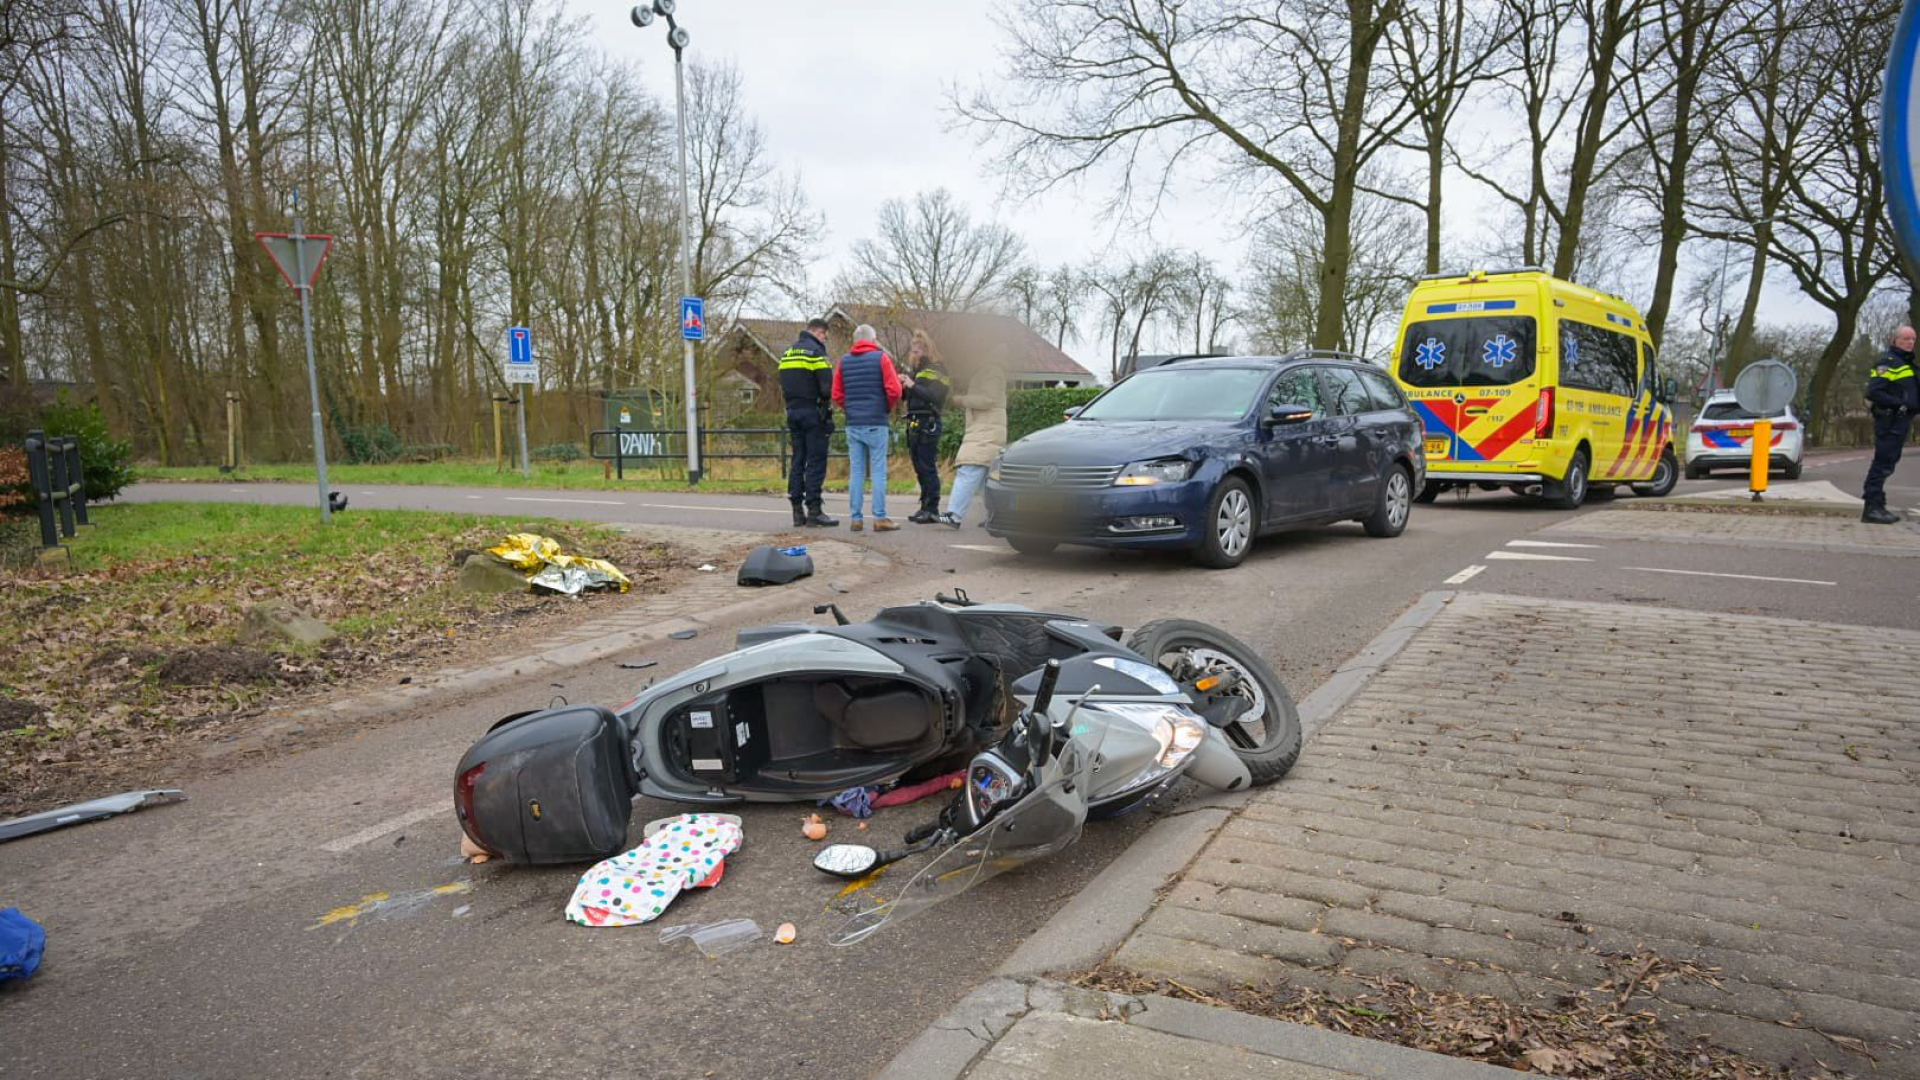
[(1161, 516)]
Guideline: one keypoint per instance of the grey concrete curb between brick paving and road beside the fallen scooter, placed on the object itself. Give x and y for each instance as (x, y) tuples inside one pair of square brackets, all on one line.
[(1107, 910)]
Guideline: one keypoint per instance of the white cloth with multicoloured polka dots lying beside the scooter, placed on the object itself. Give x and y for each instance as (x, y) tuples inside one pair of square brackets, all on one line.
[(638, 885)]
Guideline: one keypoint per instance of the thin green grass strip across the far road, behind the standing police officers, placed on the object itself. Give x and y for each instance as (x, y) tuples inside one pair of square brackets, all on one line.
[(721, 478)]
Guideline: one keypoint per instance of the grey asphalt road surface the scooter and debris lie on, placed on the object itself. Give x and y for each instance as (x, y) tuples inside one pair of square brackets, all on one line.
[(191, 941)]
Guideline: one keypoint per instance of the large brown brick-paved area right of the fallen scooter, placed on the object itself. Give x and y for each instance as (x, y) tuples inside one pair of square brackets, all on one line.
[(1537, 785)]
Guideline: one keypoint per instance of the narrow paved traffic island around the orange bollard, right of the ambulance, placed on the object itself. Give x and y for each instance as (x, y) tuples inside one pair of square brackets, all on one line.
[(1773, 529)]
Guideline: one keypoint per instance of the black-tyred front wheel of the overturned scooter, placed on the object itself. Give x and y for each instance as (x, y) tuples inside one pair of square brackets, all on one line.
[(1268, 733)]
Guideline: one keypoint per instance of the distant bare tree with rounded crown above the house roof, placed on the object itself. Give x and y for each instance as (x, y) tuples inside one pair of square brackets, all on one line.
[(932, 255)]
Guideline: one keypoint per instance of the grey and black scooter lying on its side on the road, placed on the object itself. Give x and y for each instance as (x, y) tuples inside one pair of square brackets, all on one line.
[(804, 712)]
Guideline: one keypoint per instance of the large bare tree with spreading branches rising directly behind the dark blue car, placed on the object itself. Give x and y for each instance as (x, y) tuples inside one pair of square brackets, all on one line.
[(1291, 97)]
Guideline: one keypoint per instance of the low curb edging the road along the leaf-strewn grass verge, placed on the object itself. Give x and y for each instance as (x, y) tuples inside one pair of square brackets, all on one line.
[(544, 664)]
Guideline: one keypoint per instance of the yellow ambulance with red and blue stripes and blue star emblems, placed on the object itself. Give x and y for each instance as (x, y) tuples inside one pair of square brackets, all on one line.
[(1537, 385)]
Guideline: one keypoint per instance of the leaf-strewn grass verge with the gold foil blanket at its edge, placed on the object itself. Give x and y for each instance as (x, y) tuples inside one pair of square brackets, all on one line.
[(132, 643)]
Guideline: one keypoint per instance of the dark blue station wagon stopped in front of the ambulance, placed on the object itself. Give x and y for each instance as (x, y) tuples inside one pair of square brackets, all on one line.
[(1207, 454)]
